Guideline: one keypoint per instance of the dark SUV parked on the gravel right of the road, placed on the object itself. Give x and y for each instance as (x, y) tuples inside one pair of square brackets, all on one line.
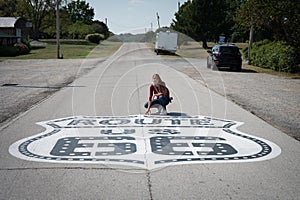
[(224, 55)]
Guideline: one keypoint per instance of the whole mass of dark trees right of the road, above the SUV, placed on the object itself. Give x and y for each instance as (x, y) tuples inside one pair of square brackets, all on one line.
[(205, 20)]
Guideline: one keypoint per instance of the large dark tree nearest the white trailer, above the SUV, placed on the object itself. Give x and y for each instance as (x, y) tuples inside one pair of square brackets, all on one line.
[(203, 20)]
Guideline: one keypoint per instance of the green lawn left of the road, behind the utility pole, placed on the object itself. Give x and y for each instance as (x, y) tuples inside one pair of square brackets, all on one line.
[(71, 49)]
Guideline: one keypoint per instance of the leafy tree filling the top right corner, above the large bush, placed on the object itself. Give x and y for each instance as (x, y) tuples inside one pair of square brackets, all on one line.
[(281, 18)]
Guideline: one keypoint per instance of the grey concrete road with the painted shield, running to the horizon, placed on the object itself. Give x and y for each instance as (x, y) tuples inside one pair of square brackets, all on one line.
[(101, 113)]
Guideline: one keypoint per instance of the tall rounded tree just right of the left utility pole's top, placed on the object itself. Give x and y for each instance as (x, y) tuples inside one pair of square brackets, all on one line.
[(80, 11)]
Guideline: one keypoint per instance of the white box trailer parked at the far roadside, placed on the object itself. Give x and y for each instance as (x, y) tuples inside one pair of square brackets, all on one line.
[(166, 42)]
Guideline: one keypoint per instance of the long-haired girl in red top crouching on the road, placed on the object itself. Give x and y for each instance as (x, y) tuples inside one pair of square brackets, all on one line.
[(158, 96)]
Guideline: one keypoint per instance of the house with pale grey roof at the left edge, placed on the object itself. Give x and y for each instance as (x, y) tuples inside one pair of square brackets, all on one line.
[(13, 29)]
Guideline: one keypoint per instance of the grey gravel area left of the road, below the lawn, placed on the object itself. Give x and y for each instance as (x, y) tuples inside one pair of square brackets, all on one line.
[(24, 83)]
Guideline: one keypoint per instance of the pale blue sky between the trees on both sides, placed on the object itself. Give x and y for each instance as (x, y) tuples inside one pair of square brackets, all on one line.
[(134, 16)]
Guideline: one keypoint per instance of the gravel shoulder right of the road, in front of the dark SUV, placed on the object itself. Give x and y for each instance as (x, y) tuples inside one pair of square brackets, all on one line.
[(274, 99)]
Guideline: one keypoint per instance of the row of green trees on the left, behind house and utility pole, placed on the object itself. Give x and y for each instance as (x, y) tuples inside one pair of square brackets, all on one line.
[(76, 17)]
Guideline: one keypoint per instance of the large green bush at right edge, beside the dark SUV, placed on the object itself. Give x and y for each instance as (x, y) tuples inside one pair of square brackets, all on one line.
[(277, 56)]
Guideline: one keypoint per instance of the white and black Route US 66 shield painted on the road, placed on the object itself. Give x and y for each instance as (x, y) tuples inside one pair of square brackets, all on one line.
[(143, 141)]
